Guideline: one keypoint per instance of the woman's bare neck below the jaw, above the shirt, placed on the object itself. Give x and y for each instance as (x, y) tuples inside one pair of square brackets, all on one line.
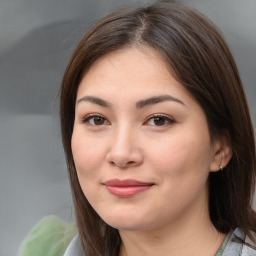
[(192, 235)]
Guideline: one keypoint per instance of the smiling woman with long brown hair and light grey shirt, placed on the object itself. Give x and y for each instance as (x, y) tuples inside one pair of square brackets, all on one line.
[(158, 138)]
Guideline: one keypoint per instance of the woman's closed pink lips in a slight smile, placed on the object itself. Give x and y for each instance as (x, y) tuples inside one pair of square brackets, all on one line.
[(126, 188)]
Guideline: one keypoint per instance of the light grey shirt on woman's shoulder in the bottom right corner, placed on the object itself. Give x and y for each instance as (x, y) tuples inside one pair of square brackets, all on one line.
[(239, 244)]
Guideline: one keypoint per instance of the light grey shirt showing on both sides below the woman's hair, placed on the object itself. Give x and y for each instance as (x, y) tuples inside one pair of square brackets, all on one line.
[(230, 246)]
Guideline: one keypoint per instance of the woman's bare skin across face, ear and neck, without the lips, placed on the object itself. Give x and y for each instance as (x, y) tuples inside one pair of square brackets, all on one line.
[(174, 153)]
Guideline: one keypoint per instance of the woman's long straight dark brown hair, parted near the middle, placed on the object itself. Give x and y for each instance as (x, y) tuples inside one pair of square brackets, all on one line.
[(200, 59)]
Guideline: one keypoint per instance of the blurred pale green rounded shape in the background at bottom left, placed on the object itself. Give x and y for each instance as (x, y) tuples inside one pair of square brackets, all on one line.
[(50, 237)]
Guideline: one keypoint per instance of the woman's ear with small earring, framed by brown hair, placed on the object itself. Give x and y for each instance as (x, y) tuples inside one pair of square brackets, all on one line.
[(222, 153)]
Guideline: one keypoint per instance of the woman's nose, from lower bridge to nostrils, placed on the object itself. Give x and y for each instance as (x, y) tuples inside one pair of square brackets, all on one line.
[(124, 150)]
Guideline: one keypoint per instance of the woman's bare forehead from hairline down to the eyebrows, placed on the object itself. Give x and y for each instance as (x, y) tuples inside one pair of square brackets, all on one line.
[(132, 74)]
